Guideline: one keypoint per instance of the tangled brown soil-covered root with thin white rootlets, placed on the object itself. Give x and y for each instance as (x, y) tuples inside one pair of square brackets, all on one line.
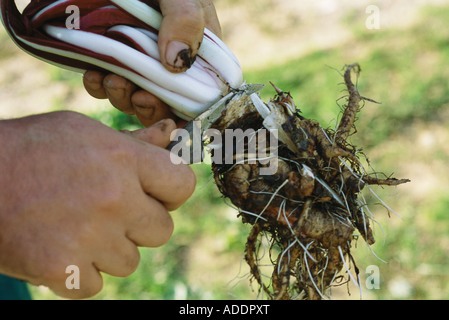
[(309, 208)]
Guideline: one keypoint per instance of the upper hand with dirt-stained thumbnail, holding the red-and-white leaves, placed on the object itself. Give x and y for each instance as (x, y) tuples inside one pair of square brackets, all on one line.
[(181, 29)]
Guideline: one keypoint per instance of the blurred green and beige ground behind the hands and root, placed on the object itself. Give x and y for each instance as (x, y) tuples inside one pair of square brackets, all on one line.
[(302, 47)]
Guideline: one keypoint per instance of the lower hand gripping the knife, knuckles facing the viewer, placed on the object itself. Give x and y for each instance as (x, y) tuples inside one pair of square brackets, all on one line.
[(75, 192)]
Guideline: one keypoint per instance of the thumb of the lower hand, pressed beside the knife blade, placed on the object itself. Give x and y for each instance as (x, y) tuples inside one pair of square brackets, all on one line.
[(158, 134)]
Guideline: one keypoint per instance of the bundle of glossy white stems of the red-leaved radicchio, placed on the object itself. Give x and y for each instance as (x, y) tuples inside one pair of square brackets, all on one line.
[(189, 93)]
